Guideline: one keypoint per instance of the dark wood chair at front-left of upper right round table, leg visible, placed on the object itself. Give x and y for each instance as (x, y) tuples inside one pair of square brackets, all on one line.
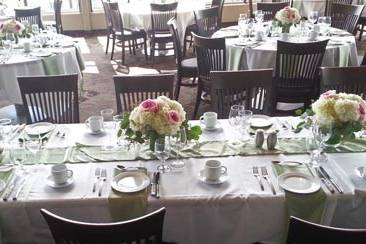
[(211, 56)]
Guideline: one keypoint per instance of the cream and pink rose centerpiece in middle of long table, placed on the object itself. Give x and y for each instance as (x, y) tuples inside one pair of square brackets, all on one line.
[(155, 118)]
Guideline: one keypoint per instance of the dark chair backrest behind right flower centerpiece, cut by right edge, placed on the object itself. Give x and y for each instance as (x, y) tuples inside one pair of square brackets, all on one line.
[(344, 79)]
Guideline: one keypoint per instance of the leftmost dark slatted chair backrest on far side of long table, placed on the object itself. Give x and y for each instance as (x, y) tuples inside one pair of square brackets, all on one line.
[(50, 98)]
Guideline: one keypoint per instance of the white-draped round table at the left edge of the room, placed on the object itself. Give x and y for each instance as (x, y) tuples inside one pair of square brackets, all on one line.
[(63, 58)]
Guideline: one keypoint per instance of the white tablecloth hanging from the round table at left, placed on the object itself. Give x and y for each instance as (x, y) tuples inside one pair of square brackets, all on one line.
[(21, 64)]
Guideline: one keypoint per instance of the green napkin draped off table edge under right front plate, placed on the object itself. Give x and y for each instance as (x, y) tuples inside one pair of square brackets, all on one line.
[(309, 207)]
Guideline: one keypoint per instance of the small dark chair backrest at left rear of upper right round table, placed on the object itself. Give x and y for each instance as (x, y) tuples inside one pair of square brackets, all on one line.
[(207, 21)]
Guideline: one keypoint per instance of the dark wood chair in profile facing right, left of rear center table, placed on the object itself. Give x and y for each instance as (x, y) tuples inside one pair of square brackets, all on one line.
[(131, 38)]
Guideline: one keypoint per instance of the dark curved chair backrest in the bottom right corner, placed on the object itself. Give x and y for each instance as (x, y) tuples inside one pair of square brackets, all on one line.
[(304, 232)]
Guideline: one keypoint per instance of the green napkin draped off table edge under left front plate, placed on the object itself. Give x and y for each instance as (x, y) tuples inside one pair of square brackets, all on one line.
[(125, 206)]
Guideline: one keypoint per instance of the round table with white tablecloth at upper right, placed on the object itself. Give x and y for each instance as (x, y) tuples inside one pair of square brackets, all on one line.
[(341, 50)]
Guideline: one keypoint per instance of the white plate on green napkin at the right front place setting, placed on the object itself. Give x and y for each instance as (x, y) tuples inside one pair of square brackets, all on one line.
[(298, 183)]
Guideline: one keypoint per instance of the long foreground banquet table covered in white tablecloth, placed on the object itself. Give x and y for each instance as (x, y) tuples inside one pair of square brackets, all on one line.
[(236, 211)]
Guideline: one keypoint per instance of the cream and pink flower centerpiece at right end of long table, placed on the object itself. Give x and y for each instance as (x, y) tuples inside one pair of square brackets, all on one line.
[(341, 114)]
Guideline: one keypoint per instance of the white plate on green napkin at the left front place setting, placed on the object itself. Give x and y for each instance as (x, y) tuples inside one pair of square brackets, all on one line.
[(130, 181)]
